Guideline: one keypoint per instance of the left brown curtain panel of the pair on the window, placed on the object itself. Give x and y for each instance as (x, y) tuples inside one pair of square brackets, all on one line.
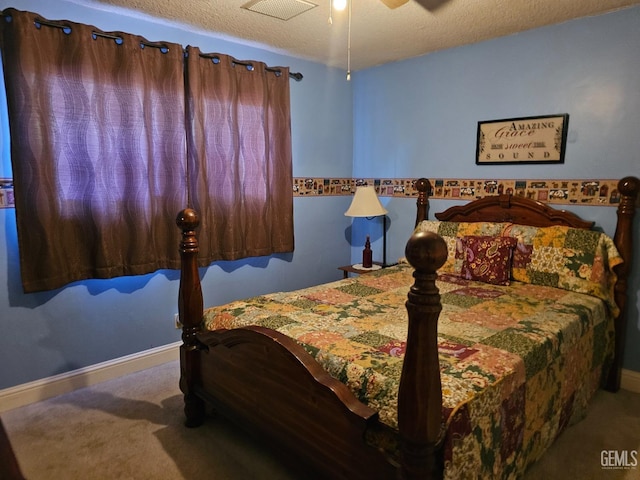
[(98, 149)]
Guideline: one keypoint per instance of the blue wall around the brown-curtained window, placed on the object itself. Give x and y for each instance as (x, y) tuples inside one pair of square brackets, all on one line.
[(90, 322)]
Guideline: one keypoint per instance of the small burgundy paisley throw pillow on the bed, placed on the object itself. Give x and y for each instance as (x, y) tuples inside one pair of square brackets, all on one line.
[(487, 259)]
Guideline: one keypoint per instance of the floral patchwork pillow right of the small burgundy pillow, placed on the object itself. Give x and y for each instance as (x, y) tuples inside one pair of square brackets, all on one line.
[(569, 258)]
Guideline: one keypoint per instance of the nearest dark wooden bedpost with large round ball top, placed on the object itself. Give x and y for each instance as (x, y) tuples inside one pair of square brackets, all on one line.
[(420, 393)]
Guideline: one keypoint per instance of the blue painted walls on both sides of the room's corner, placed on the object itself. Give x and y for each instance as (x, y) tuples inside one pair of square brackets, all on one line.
[(407, 119)]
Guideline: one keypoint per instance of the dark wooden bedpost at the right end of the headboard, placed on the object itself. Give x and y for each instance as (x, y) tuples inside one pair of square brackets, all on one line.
[(629, 187)]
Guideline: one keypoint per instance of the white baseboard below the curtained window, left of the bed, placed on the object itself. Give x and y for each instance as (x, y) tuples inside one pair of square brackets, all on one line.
[(39, 390)]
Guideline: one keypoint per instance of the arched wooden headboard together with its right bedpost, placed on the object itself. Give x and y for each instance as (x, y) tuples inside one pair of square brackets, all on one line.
[(507, 208)]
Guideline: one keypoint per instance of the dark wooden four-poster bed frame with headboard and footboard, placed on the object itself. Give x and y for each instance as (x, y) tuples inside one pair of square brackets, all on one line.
[(272, 387)]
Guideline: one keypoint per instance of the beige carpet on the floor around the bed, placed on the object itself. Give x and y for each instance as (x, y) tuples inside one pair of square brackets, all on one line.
[(131, 428)]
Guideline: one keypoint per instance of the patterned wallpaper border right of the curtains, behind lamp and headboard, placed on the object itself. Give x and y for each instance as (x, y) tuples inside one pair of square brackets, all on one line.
[(559, 192)]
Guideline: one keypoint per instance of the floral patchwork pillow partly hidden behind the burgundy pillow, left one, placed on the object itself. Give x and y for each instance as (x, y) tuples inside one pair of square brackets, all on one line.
[(452, 232)]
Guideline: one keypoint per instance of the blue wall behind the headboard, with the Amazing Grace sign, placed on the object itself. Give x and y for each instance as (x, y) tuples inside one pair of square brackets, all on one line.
[(419, 117)]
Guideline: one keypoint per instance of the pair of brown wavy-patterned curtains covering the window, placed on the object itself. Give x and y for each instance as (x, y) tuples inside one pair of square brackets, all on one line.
[(109, 142)]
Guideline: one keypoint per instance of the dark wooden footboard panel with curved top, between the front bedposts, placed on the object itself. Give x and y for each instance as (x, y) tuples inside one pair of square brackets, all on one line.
[(269, 385)]
